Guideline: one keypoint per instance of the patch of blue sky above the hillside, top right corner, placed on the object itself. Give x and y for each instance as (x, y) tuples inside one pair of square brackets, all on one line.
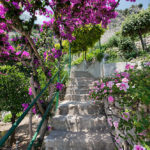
[(125, 4)]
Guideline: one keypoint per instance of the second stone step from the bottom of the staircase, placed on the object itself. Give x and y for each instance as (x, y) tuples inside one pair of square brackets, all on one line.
[(77, 123)]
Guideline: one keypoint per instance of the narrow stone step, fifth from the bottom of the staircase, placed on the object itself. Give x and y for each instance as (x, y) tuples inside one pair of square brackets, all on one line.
[(77, 91)]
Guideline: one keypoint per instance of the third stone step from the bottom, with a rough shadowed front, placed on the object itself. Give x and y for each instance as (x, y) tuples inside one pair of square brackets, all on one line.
[(80, 108)]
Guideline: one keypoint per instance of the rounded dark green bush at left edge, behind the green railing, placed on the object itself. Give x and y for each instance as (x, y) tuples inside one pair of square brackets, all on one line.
[(13, 89)]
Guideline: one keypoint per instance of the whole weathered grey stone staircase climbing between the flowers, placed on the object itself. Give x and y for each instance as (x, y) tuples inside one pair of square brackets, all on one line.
[(79, 124)]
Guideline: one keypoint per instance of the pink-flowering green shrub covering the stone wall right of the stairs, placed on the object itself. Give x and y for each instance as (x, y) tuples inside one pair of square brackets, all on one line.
[(126, 97)]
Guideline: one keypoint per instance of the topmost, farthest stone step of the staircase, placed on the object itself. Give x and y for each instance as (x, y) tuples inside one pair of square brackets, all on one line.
[(80, 74)]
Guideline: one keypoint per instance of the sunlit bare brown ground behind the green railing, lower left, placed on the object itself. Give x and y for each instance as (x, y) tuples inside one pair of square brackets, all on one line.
[(22, 133)]
